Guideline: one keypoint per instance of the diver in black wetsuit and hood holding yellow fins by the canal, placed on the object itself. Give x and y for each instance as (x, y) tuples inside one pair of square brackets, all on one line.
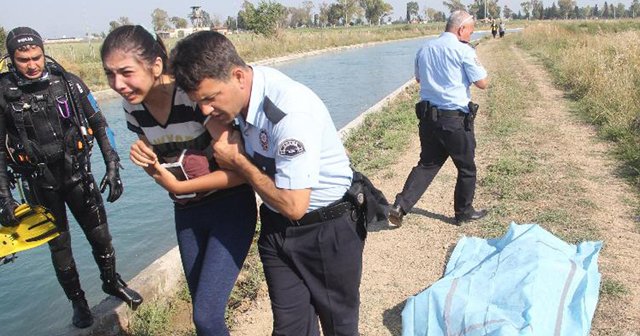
[(48, 121)]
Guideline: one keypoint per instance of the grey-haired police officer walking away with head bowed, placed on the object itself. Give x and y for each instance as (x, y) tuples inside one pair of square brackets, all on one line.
[(446, 67)]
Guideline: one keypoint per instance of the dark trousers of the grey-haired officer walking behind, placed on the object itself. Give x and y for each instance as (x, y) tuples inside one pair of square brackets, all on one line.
[(439, 140)]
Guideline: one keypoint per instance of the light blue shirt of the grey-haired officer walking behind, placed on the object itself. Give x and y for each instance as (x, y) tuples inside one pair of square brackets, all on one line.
[(446, 68)]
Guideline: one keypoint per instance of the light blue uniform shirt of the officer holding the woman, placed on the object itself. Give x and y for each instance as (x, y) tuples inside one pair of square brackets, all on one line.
[(289, 135)]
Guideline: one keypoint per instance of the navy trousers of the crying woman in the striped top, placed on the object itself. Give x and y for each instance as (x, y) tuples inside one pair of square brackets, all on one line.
[(214, 238)]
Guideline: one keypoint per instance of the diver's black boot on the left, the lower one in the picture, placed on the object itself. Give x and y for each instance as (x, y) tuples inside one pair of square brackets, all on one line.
[(70, 282)]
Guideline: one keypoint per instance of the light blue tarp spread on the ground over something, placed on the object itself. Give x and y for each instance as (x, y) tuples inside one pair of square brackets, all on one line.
[(527, 282)]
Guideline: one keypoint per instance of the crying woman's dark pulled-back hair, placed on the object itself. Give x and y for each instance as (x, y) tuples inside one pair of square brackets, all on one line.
[(137, 39)]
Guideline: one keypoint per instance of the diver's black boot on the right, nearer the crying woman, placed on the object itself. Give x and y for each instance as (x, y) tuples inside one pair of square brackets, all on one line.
[(112, 284)]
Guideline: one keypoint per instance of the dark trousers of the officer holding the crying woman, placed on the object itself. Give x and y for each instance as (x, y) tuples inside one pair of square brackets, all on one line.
[(312, 271)]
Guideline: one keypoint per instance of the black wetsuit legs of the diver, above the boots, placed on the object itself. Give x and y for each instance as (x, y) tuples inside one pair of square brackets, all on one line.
[(85, 203)]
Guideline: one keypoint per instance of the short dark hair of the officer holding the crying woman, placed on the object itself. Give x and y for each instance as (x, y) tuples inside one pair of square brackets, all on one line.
[(205, 54)]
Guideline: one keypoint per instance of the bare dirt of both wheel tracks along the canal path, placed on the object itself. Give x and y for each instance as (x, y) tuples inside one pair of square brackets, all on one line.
[(402, 262)]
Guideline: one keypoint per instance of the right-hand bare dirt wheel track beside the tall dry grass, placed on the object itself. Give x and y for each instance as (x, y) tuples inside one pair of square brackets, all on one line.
[(577, 146)]
